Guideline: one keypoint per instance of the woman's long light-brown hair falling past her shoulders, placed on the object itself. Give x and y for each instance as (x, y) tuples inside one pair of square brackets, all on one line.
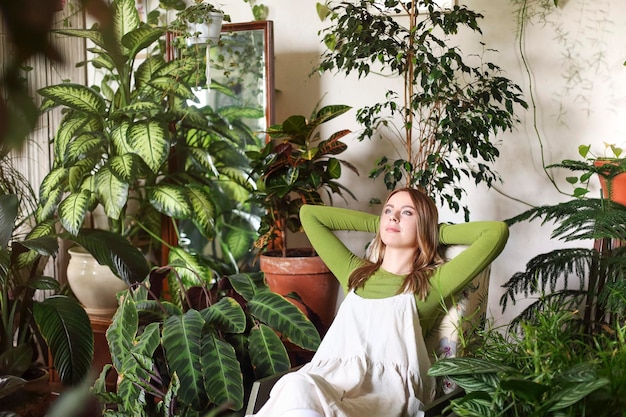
[(426, 258)]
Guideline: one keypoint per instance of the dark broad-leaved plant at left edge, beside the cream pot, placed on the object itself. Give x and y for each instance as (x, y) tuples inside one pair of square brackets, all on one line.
[(29, 328)]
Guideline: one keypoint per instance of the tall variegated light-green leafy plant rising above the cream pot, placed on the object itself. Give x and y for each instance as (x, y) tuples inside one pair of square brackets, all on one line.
[(135, 146)]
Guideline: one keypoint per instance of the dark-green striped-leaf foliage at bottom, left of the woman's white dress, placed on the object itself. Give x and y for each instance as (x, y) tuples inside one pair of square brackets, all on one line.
[(202, 347)]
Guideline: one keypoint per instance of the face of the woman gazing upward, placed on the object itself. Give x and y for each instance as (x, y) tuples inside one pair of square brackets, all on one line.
[(398, 222)]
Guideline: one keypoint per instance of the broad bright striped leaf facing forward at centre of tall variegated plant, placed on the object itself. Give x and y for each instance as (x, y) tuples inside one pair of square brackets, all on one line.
[(148, 139)]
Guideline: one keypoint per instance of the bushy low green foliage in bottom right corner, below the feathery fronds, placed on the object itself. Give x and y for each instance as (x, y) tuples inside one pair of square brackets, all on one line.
[(545, 368)]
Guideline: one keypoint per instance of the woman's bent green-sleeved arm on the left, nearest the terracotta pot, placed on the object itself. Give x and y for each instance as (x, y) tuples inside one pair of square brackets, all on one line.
[(319, 222)]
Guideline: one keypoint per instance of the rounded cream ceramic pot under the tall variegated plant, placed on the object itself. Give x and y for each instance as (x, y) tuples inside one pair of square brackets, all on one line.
[(94, 285)]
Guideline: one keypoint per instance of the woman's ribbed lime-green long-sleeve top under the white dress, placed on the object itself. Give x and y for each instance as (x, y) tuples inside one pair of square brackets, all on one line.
[(485, 240)]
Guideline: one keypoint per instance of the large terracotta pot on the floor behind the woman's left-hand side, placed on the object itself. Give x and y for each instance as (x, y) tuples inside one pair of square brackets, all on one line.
[(306, 276)]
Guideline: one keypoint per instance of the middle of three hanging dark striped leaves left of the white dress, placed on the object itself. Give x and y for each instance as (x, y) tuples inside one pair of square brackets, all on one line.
[(222, 373)]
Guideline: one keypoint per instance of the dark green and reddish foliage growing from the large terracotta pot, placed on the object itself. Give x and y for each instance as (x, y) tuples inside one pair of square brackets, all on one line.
[(293, 168)]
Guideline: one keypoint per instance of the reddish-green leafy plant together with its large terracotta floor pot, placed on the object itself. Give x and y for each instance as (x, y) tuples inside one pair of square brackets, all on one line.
[(293, 169)]
